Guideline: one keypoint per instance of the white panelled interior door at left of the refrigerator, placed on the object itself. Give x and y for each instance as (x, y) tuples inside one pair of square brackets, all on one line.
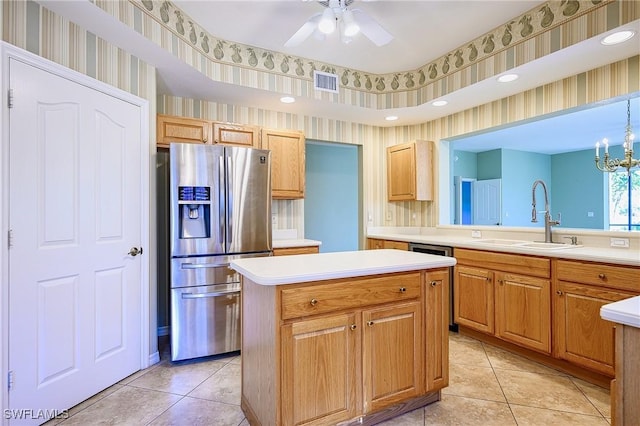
[(74, 214)]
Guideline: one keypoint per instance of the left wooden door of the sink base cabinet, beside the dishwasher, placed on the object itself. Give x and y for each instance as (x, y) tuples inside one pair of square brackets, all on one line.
[(473, 298)]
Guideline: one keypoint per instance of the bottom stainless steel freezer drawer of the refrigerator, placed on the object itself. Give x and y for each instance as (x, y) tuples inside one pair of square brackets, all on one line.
[(205, 320)]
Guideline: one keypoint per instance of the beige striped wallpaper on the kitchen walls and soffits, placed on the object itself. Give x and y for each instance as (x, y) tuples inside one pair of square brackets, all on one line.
[(28, 25)]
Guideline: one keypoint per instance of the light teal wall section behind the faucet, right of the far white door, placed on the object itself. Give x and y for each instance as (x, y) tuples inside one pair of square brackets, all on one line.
[(520, 170)]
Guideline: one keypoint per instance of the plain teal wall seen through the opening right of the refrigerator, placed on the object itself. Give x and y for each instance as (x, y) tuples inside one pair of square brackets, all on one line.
[(331, 208)]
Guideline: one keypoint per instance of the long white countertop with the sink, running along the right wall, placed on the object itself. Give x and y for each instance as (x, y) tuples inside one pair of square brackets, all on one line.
[(595, 254)]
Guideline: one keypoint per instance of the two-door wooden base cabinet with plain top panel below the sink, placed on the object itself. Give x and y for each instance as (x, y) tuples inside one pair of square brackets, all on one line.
[(505, 295)]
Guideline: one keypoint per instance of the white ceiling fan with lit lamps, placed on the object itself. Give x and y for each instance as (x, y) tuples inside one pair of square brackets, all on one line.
[(349, 22)]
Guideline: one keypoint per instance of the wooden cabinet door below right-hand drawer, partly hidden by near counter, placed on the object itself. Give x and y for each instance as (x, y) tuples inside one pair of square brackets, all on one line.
[(581, 336)]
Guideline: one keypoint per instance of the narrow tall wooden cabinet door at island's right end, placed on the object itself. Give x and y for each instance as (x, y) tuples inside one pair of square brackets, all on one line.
[(436, 325)]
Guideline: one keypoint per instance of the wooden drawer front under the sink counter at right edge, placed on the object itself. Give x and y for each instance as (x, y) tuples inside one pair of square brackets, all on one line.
[(621, 277)]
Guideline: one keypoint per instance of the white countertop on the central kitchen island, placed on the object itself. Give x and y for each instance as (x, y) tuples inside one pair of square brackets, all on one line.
[(324, 266)]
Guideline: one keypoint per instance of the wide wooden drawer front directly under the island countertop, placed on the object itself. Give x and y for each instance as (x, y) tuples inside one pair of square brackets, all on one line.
[(349, 293)]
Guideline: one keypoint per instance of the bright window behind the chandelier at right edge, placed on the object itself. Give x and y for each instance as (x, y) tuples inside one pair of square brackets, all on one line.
[(624, 201)]
